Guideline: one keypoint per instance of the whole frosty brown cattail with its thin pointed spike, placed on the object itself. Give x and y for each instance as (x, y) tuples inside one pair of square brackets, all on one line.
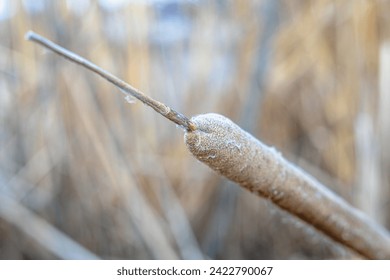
[(226, 148)]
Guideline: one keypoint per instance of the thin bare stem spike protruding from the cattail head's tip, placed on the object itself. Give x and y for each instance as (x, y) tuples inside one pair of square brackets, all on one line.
[(158, 106)]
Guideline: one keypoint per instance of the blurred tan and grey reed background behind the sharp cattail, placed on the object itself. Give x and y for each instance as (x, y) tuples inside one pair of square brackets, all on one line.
[(85, 174)]
